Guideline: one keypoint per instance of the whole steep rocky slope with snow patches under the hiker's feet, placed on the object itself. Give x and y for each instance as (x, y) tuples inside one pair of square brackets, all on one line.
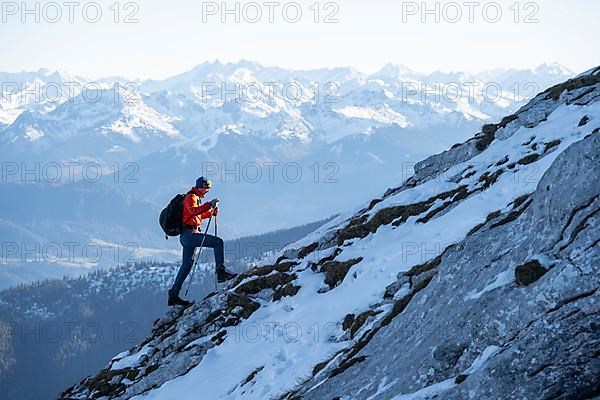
[(376, 303)]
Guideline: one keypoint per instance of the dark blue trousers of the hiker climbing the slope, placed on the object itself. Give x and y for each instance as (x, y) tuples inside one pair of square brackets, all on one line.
[(190, 240)]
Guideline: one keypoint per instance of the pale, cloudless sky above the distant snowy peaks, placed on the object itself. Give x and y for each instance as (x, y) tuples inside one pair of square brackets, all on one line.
[(171, 37)]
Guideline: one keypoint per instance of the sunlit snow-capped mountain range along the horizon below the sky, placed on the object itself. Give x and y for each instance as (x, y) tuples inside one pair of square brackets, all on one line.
[(44, 109)]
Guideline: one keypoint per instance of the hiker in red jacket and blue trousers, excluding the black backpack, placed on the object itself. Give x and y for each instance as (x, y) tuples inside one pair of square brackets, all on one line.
[(191, 237)]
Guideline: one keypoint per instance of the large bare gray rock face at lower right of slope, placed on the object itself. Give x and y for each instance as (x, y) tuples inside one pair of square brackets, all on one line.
[(545, 336)]
